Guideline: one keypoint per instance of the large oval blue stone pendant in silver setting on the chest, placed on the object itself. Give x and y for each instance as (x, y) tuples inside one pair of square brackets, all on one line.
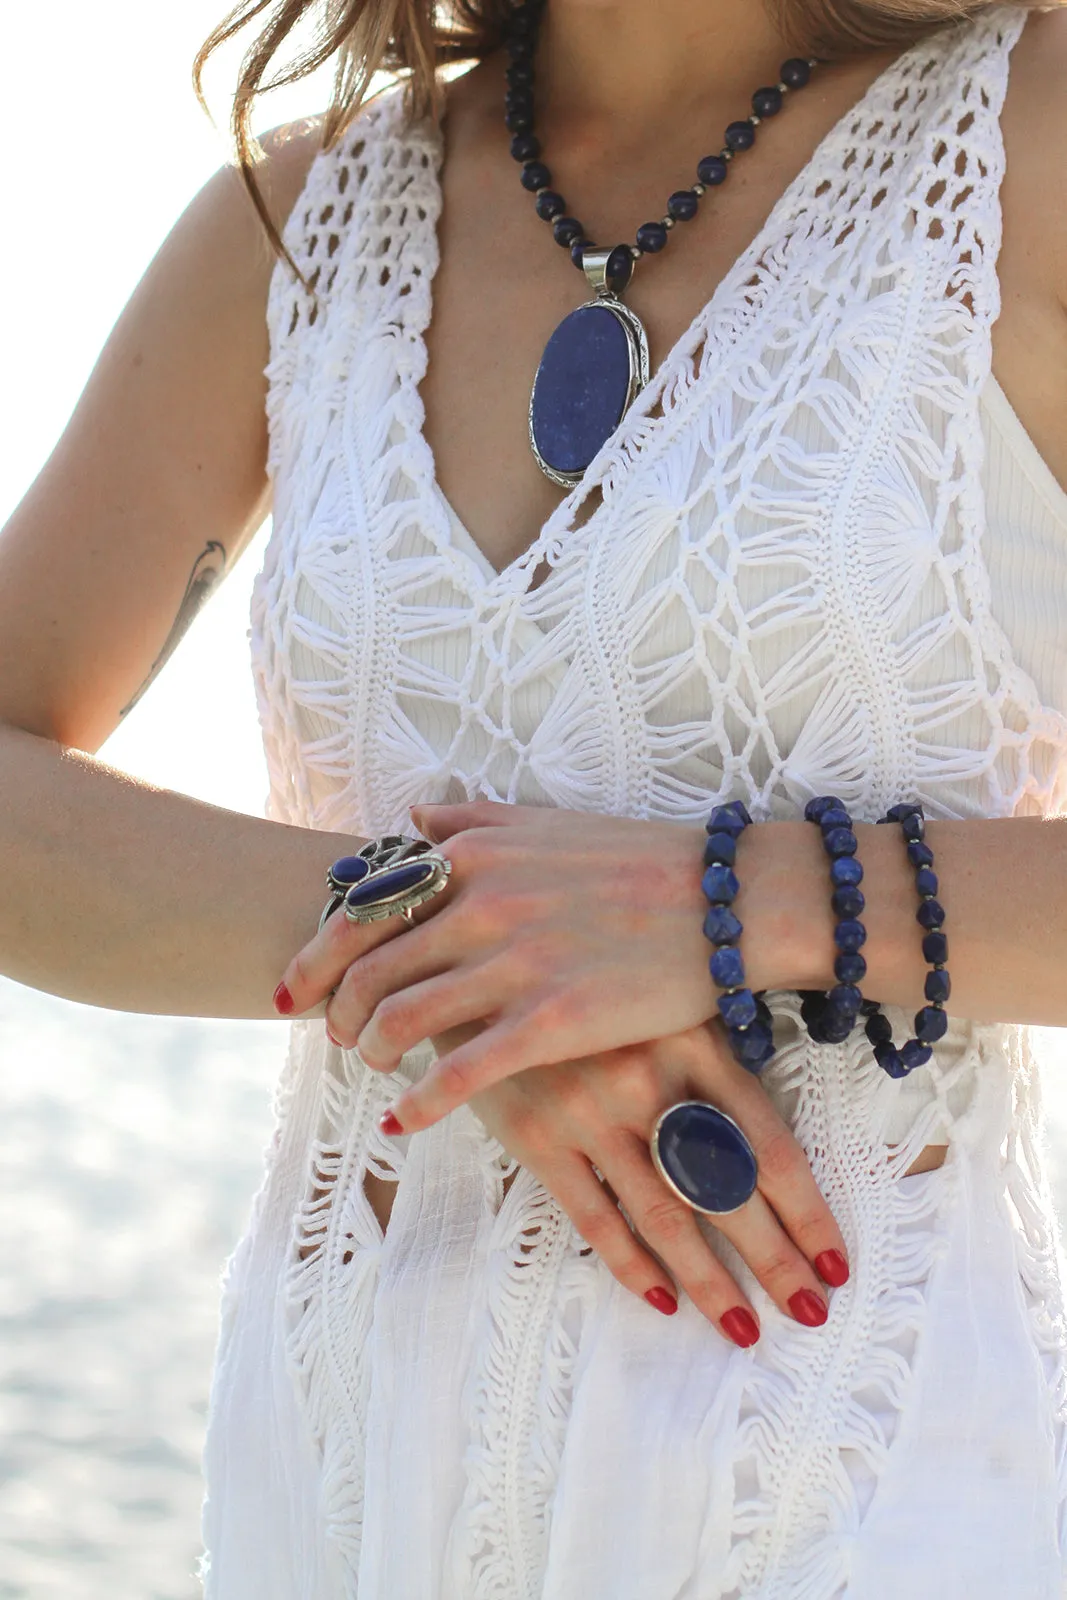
[(593, 367)]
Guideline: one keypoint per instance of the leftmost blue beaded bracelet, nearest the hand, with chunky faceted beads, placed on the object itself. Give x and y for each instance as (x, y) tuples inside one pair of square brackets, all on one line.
[(748, 1017)]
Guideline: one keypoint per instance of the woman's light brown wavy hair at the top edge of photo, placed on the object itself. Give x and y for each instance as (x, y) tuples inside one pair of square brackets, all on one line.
[(415, 38)]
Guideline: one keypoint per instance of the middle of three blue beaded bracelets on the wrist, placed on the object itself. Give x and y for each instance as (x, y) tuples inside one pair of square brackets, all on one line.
[(831, 1017)]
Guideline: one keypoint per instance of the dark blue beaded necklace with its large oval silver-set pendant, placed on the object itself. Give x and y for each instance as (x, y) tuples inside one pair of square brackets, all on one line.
[(597, 359)]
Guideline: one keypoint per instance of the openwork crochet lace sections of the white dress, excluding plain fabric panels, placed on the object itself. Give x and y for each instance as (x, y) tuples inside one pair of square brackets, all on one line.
[(828, 612)]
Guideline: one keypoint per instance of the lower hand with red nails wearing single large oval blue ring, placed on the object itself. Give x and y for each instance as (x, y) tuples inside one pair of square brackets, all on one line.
[(565, 1119)]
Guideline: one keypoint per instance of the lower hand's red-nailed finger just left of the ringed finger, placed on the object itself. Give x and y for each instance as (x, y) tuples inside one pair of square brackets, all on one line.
[(671, 1228)]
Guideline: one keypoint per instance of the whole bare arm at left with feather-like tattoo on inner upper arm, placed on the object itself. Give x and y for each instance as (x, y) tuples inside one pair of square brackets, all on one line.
[(118, 894)]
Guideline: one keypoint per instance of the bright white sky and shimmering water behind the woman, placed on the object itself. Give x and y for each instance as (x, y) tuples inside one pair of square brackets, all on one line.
[(130, 1146)]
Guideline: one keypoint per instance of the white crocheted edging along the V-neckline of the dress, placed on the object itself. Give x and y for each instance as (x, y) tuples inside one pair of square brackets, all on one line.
[(738, 274)]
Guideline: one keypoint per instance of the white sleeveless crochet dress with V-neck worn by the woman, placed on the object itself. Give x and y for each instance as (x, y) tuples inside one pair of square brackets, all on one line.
[(781, 593)]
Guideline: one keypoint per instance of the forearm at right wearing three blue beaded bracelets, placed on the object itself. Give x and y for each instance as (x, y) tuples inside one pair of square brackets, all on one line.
[(1004, 887)]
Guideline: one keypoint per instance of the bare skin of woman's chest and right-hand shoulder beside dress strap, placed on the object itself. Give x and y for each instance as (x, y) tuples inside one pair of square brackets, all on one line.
[(505, 284)]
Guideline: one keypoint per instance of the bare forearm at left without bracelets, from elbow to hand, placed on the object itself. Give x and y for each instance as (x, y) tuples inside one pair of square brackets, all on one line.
[(137, 898)]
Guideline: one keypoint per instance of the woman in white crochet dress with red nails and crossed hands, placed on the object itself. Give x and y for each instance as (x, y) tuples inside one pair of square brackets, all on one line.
[(820, 553)]
